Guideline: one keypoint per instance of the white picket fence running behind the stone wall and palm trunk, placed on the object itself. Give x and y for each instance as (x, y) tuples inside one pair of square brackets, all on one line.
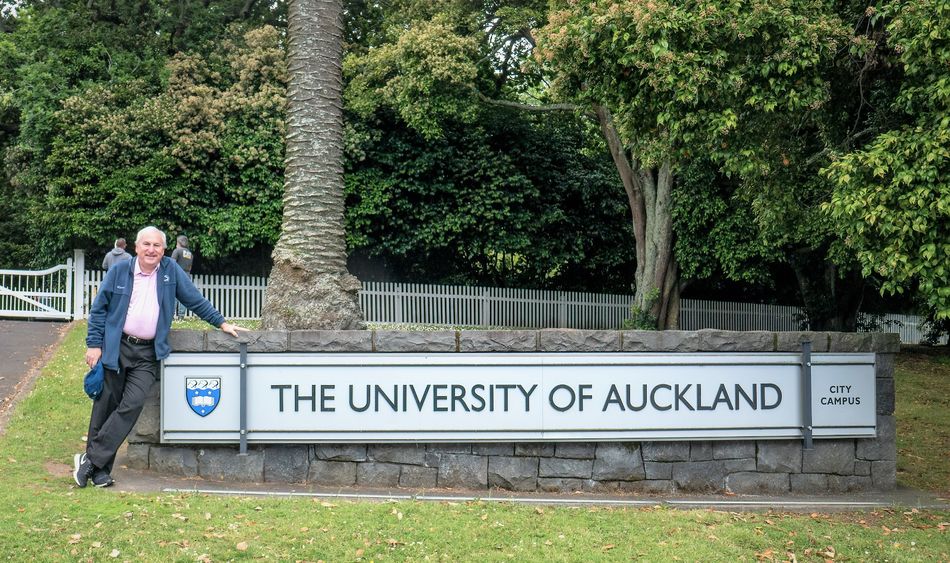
[(241, 297)]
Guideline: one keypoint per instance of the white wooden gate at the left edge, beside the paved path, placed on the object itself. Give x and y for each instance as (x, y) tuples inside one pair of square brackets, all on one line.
[(42, 294)]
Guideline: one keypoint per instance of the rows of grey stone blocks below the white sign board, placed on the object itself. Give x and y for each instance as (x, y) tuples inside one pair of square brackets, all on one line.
[(766, 466)]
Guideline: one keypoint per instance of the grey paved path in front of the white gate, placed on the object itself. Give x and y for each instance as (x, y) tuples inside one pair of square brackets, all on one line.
[(23, 348)]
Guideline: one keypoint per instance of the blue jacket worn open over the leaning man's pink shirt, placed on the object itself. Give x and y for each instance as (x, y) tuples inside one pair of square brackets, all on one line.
[(109, 309)]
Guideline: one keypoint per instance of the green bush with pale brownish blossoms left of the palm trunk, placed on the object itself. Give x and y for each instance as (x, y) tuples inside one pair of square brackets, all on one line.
[(203, 156)]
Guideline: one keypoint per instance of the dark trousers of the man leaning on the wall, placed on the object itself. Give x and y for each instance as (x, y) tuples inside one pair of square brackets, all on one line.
[(118, 407)]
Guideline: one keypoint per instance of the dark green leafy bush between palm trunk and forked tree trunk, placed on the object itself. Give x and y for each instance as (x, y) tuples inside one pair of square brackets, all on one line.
[(512, 201)]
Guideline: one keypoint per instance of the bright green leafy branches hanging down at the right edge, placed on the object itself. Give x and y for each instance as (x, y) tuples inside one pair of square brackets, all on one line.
[(891, 199)]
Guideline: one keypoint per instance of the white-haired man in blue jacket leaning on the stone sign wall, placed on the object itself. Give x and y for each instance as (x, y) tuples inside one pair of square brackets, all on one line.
[(128, 331)]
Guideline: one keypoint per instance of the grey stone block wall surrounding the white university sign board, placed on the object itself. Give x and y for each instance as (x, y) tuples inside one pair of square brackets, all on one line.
[(750, 466)]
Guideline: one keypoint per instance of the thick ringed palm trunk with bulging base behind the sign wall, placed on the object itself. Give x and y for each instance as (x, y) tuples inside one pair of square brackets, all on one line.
[(310, 286)]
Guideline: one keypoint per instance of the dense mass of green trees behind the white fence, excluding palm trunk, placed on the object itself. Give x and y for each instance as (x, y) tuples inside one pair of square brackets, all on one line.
[(504, 143)]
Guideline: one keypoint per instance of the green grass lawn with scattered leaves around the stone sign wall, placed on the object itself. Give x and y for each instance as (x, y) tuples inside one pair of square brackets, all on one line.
[(44, 517)]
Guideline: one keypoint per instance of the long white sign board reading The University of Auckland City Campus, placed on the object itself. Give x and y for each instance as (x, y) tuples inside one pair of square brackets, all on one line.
[(314, 397)]
